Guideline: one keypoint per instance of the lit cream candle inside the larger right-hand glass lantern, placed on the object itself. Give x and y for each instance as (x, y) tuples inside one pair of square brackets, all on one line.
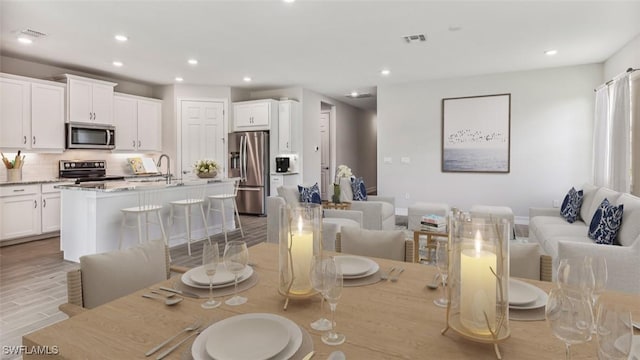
[(477, 288)]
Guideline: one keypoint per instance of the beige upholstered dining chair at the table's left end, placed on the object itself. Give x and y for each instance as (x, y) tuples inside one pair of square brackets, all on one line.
[(108, 276)]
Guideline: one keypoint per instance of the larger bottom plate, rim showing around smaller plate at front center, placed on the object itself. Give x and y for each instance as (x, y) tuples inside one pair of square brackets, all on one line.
[(199, 351)]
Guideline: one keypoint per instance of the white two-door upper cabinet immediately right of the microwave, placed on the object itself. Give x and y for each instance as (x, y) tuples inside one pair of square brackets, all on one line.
[(138, 122)]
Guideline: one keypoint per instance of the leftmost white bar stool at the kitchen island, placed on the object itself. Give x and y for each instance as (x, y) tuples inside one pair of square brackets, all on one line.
[(149, 201)]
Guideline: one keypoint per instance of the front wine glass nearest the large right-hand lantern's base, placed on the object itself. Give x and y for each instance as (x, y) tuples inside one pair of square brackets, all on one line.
[(568, 313)]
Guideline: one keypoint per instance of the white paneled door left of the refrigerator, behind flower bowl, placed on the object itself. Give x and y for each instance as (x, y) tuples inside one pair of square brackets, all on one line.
[(203, 134)]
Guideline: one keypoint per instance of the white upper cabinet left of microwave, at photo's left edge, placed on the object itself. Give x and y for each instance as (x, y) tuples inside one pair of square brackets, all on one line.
[(31, 114)]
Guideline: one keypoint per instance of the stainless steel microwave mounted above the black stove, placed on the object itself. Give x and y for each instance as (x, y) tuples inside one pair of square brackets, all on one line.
[(90, 136)]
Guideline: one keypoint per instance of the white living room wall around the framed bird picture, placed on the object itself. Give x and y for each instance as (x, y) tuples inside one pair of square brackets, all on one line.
[(551, 132)]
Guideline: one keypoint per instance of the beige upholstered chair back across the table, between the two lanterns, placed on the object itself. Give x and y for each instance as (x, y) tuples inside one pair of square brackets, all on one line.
[(388, 244)]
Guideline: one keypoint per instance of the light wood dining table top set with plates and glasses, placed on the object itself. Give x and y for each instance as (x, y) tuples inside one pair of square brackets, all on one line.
[(385, 320)]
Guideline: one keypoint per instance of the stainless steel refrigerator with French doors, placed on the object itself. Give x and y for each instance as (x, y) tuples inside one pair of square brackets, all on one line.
[(249, 161)]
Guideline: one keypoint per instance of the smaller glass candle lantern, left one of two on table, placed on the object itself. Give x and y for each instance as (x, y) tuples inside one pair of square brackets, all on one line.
[(300, 239)]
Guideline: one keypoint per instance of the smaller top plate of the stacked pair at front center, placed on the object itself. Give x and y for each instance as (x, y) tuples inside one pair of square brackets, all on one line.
[(247, 338)]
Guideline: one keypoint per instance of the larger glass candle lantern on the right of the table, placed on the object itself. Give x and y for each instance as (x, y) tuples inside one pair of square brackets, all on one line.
[(478, 279)]
